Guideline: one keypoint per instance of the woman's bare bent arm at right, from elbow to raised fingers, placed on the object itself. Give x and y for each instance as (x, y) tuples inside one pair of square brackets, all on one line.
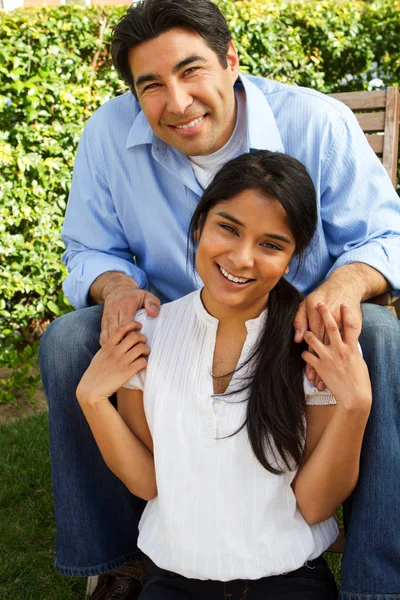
[(329, 471)]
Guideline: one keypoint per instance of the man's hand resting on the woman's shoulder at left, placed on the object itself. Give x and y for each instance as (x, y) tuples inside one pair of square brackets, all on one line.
[(122, 299)]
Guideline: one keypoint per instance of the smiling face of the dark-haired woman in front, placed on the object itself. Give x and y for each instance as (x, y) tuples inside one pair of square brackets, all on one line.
[(244, 249)]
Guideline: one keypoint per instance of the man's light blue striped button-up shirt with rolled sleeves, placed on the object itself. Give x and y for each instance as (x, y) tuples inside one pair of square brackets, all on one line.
[(132, 195)]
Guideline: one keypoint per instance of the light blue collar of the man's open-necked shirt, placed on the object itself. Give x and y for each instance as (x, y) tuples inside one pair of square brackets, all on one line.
[(262, 130)]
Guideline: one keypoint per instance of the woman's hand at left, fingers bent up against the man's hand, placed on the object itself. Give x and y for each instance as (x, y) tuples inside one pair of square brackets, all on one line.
[(121, 357)]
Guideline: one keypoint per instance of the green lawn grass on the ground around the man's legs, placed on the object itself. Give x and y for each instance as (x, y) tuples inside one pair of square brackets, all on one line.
[(27, 528)]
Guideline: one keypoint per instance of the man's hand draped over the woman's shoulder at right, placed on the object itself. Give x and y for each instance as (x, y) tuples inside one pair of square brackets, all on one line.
[(350, 284)]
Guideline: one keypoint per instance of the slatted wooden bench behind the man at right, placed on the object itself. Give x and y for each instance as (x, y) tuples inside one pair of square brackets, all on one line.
[(378, 114)]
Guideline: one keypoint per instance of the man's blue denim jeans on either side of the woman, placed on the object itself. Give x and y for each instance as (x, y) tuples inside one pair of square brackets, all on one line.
[(97, 517)]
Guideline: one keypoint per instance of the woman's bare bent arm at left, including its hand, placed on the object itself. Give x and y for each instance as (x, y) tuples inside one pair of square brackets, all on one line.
[(127, 450)]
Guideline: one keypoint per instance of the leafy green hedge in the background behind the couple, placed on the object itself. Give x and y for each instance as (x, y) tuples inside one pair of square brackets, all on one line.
[(55, 70)]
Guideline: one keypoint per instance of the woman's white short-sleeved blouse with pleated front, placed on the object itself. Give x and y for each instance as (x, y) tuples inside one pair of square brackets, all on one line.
[(218, 513)]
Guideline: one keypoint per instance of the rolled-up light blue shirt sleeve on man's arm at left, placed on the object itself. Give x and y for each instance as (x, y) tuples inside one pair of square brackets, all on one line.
[(94, 238)]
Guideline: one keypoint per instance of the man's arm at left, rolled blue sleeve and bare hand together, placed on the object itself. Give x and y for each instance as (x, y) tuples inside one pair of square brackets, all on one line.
[(91, 227)]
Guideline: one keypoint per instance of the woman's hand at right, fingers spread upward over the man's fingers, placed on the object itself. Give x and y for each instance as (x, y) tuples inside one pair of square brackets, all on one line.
[(340, 364)]
